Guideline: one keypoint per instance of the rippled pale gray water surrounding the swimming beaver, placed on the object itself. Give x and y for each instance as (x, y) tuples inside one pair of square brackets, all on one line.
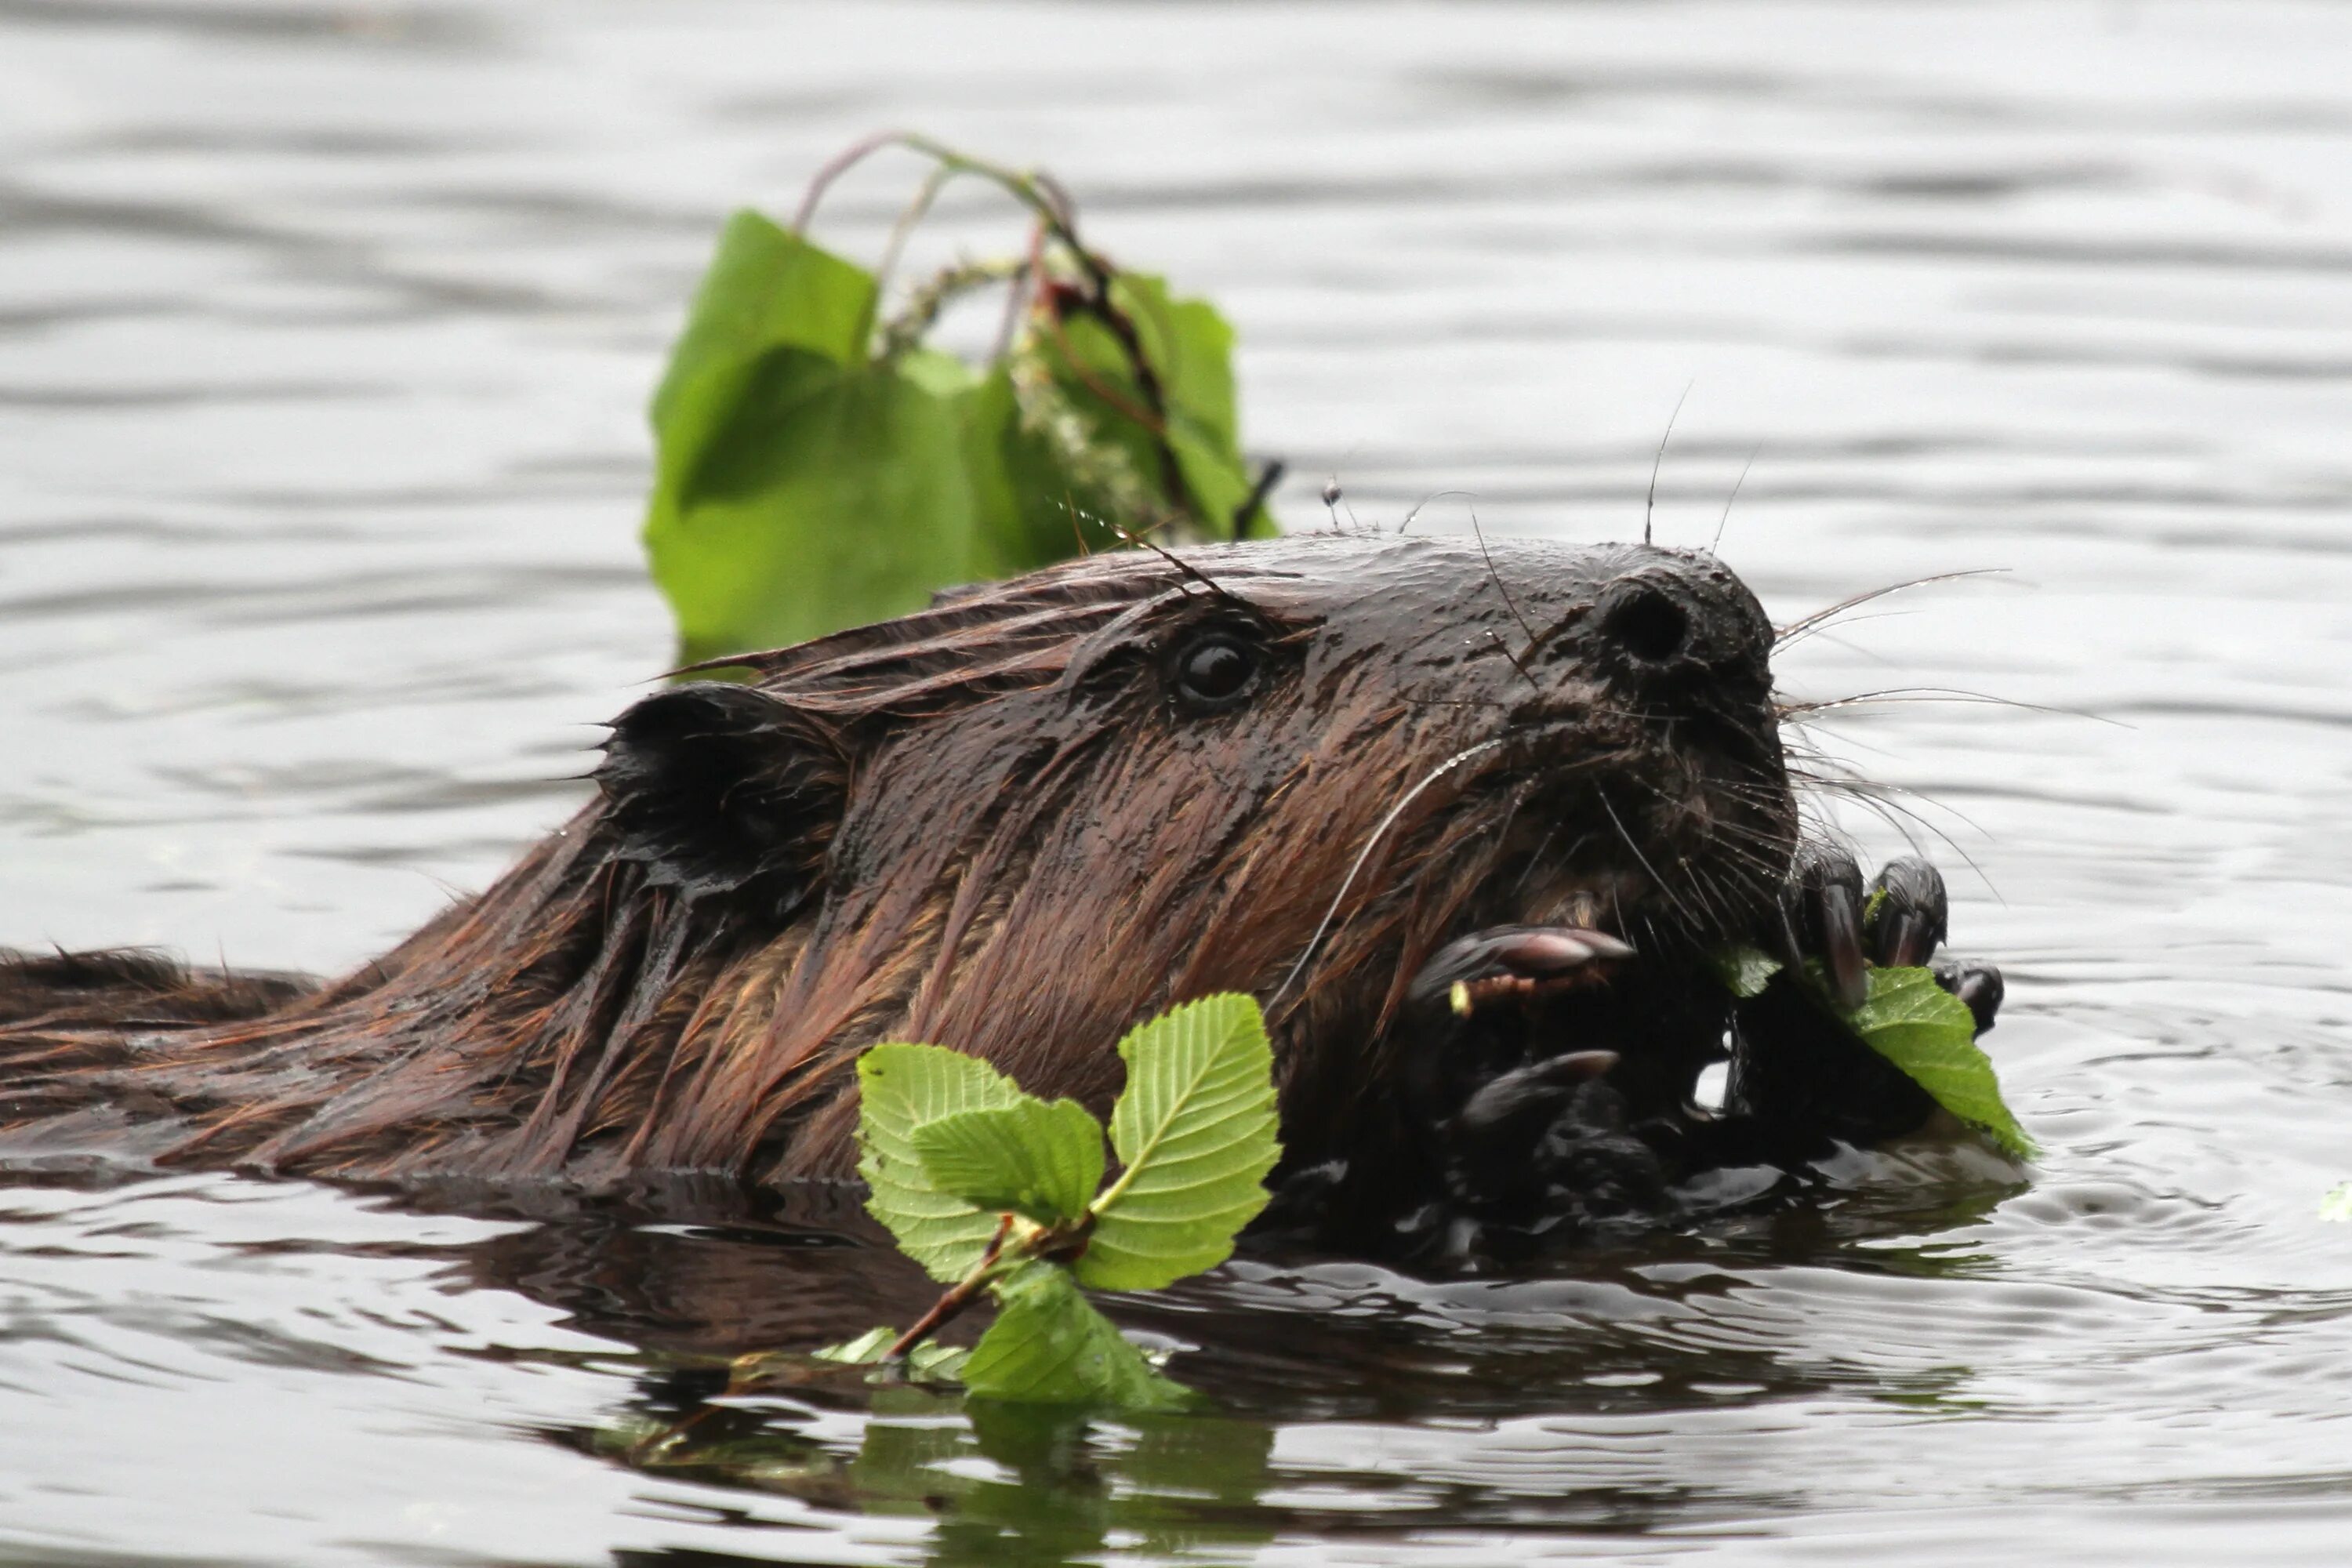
[(323, 344)]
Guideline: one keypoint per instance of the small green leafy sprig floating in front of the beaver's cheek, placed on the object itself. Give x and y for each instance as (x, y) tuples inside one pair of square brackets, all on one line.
[(1003, 1195)]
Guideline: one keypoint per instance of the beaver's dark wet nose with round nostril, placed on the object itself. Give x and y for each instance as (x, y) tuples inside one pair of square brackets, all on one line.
[(1683, 617)]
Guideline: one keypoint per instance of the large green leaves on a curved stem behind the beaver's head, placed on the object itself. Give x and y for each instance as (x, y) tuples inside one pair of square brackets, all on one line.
[(822, 467)]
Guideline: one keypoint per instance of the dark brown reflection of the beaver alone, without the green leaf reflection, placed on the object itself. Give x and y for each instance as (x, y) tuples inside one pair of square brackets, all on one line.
[(697, 1273)]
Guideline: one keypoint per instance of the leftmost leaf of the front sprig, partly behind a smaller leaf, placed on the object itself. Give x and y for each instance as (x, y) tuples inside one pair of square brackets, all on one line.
[(900, 1090)]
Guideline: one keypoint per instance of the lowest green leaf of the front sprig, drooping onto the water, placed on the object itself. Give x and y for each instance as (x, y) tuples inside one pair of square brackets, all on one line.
[(1048, 1346)]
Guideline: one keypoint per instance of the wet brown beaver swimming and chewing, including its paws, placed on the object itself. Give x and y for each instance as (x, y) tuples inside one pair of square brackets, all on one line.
[(1469, 819)]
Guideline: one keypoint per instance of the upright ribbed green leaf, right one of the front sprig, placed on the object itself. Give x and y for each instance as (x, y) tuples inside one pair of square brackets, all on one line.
[(1196, 1132)]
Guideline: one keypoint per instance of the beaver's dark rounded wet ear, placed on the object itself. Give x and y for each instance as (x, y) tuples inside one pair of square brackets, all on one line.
[(723, 789)]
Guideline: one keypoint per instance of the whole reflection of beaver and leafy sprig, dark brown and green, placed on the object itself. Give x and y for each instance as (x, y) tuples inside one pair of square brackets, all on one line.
[(697, 1273)]
